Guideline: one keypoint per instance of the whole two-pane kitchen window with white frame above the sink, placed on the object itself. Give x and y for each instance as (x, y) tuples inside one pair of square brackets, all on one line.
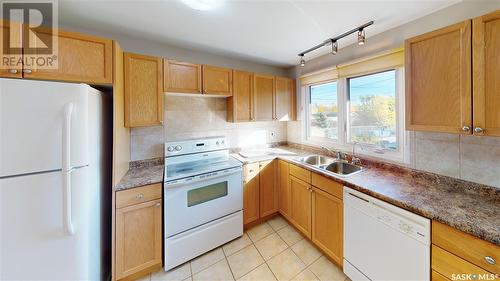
[(365, 111)]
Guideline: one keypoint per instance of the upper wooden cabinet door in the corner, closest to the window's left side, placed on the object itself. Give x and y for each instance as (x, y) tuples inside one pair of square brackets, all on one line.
[(284, 96)]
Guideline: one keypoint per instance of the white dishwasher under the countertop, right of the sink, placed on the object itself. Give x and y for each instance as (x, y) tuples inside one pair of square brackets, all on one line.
[(382, 241)]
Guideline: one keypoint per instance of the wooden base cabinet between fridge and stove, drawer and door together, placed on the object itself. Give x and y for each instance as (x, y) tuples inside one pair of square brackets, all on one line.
[(138, 232)]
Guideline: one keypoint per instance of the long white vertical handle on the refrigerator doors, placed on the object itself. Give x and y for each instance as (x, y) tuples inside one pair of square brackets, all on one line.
[(66, 168)]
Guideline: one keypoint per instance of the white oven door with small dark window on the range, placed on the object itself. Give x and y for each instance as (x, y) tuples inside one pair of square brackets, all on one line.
[(194, 201)]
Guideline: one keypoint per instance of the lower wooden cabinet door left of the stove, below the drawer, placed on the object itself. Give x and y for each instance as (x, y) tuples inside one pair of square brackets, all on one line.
[(138, 238)]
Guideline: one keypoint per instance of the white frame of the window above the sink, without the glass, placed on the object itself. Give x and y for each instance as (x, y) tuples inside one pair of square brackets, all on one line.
[(400, 155)]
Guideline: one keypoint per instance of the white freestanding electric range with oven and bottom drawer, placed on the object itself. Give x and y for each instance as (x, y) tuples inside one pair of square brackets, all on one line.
[(203, 191)]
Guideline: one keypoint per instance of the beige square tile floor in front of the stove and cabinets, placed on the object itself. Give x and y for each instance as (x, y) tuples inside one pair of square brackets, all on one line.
[(270, 251)]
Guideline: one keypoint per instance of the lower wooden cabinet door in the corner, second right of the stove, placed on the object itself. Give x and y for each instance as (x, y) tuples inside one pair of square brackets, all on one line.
[(269, 200)]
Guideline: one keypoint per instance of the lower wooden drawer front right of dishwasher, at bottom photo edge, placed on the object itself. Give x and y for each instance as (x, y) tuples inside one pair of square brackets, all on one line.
[(449, 265)]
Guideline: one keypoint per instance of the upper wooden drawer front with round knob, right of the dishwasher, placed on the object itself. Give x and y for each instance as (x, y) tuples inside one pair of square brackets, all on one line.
[(466, 246)]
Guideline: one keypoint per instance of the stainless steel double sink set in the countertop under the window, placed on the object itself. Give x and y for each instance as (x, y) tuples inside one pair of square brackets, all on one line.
[(335, 166)]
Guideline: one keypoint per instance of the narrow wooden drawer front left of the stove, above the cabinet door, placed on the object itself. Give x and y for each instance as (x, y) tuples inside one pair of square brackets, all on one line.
[(138, 195)]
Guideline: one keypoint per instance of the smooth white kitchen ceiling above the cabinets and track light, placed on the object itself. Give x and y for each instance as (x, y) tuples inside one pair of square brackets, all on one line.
[(266, 31)]
